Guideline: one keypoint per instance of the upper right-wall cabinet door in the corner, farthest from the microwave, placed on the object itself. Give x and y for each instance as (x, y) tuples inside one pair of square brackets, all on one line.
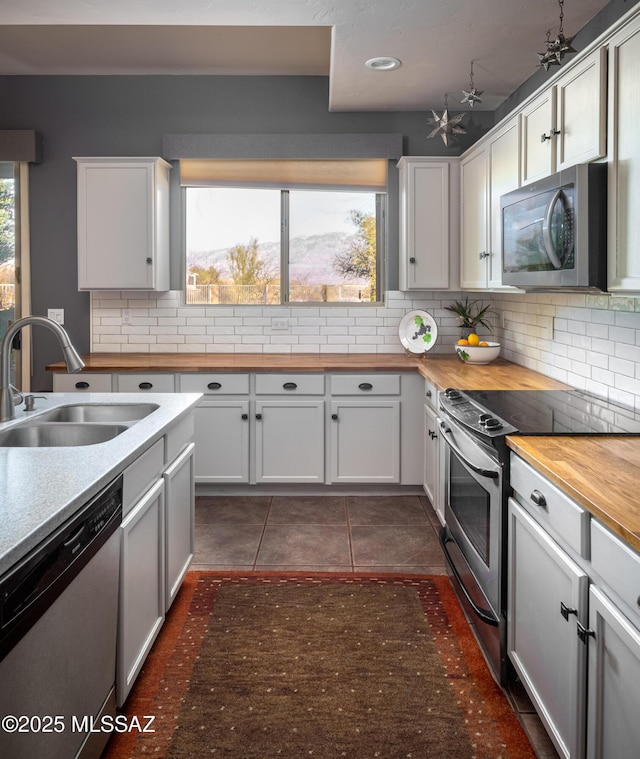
[(473, 226)]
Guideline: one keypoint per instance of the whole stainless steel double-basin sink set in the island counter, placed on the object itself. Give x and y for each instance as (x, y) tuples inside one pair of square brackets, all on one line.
[(77, 424)]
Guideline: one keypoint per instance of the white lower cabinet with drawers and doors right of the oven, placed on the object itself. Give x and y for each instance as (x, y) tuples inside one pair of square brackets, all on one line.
[(573, 620)]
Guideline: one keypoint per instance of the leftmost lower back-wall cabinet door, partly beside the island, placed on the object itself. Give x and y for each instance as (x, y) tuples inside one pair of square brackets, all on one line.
[(222, 441)]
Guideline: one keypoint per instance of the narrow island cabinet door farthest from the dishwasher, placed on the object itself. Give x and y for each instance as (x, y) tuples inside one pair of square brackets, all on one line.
[(179, 523)]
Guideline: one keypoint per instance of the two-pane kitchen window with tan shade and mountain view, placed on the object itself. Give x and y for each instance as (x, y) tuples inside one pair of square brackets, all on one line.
[(275, 232)]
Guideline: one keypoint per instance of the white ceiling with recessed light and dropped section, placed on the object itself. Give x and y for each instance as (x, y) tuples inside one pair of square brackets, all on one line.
[(436, 40)]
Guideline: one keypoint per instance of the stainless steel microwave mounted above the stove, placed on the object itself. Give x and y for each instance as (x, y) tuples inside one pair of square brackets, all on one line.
[(554, 231)]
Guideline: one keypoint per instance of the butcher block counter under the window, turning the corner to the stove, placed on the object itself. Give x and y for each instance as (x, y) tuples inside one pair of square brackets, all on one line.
[(444, 370)]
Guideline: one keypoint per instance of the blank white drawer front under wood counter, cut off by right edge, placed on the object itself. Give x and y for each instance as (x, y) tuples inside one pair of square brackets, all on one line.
[(617, 564)]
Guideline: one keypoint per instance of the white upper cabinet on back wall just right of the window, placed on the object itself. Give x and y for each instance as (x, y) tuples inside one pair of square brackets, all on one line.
[(425, 240)]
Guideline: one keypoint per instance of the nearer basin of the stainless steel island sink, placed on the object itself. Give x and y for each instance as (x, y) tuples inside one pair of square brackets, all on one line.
[(47, 435)]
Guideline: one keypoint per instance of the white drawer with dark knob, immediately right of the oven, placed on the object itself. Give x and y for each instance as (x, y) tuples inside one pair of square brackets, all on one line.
[(555, 511)]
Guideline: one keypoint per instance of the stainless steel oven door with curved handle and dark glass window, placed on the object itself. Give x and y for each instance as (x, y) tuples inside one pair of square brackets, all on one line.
[(473, 518)]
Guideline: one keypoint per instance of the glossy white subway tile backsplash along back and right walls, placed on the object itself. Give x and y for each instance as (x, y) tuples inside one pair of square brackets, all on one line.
[(589, 341)]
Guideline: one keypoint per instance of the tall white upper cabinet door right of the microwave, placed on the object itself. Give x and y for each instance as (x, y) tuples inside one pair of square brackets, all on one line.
[(624, 160)]
